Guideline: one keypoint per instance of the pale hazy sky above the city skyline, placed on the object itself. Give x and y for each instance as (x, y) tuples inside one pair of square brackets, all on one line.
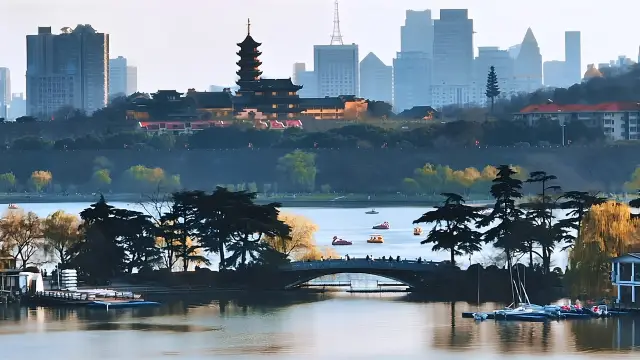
[(192, 43)]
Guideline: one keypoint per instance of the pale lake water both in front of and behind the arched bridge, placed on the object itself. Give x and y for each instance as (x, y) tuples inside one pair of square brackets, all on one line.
[(330, 326)]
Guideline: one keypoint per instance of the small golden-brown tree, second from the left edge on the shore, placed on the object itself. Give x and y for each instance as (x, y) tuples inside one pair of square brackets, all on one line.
[(61, 233)]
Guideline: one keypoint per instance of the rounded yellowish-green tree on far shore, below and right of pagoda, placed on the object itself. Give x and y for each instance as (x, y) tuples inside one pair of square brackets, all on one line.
[(300, 169)]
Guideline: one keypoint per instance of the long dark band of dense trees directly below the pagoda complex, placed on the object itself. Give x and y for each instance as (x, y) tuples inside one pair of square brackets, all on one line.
[(461, 133)]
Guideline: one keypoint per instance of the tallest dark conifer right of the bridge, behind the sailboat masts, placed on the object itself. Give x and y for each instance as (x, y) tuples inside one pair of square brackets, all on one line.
[(506, 189)]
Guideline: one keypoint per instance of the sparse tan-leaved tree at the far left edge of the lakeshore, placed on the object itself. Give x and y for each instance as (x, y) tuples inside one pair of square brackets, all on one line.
[(23, 233)]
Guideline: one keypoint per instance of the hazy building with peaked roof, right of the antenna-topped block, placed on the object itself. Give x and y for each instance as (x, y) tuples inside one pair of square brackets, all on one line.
[(376, 79)]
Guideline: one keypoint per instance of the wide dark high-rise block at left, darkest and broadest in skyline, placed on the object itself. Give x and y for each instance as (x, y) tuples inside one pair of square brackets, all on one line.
[(69, 69)]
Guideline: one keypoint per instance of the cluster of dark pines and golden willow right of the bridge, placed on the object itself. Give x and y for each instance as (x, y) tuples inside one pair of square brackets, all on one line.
[(594, 231)]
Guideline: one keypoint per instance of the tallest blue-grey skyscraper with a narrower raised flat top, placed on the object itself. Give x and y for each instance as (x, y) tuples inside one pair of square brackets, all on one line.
[(453, 48)]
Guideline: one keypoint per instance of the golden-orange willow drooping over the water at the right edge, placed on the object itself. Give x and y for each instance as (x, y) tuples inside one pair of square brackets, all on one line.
[(608, 230)]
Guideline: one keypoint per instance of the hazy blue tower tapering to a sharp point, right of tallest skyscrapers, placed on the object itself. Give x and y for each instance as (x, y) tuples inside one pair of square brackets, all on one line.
[(528, 66)]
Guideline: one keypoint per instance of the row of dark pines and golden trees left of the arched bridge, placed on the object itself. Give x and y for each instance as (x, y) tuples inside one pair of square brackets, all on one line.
[(174, 233)]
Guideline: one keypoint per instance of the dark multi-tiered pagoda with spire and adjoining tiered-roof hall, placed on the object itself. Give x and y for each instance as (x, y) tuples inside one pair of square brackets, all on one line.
[(275, 99)]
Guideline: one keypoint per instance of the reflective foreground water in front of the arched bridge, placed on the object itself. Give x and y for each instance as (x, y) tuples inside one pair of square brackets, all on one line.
[(319, 325)]
